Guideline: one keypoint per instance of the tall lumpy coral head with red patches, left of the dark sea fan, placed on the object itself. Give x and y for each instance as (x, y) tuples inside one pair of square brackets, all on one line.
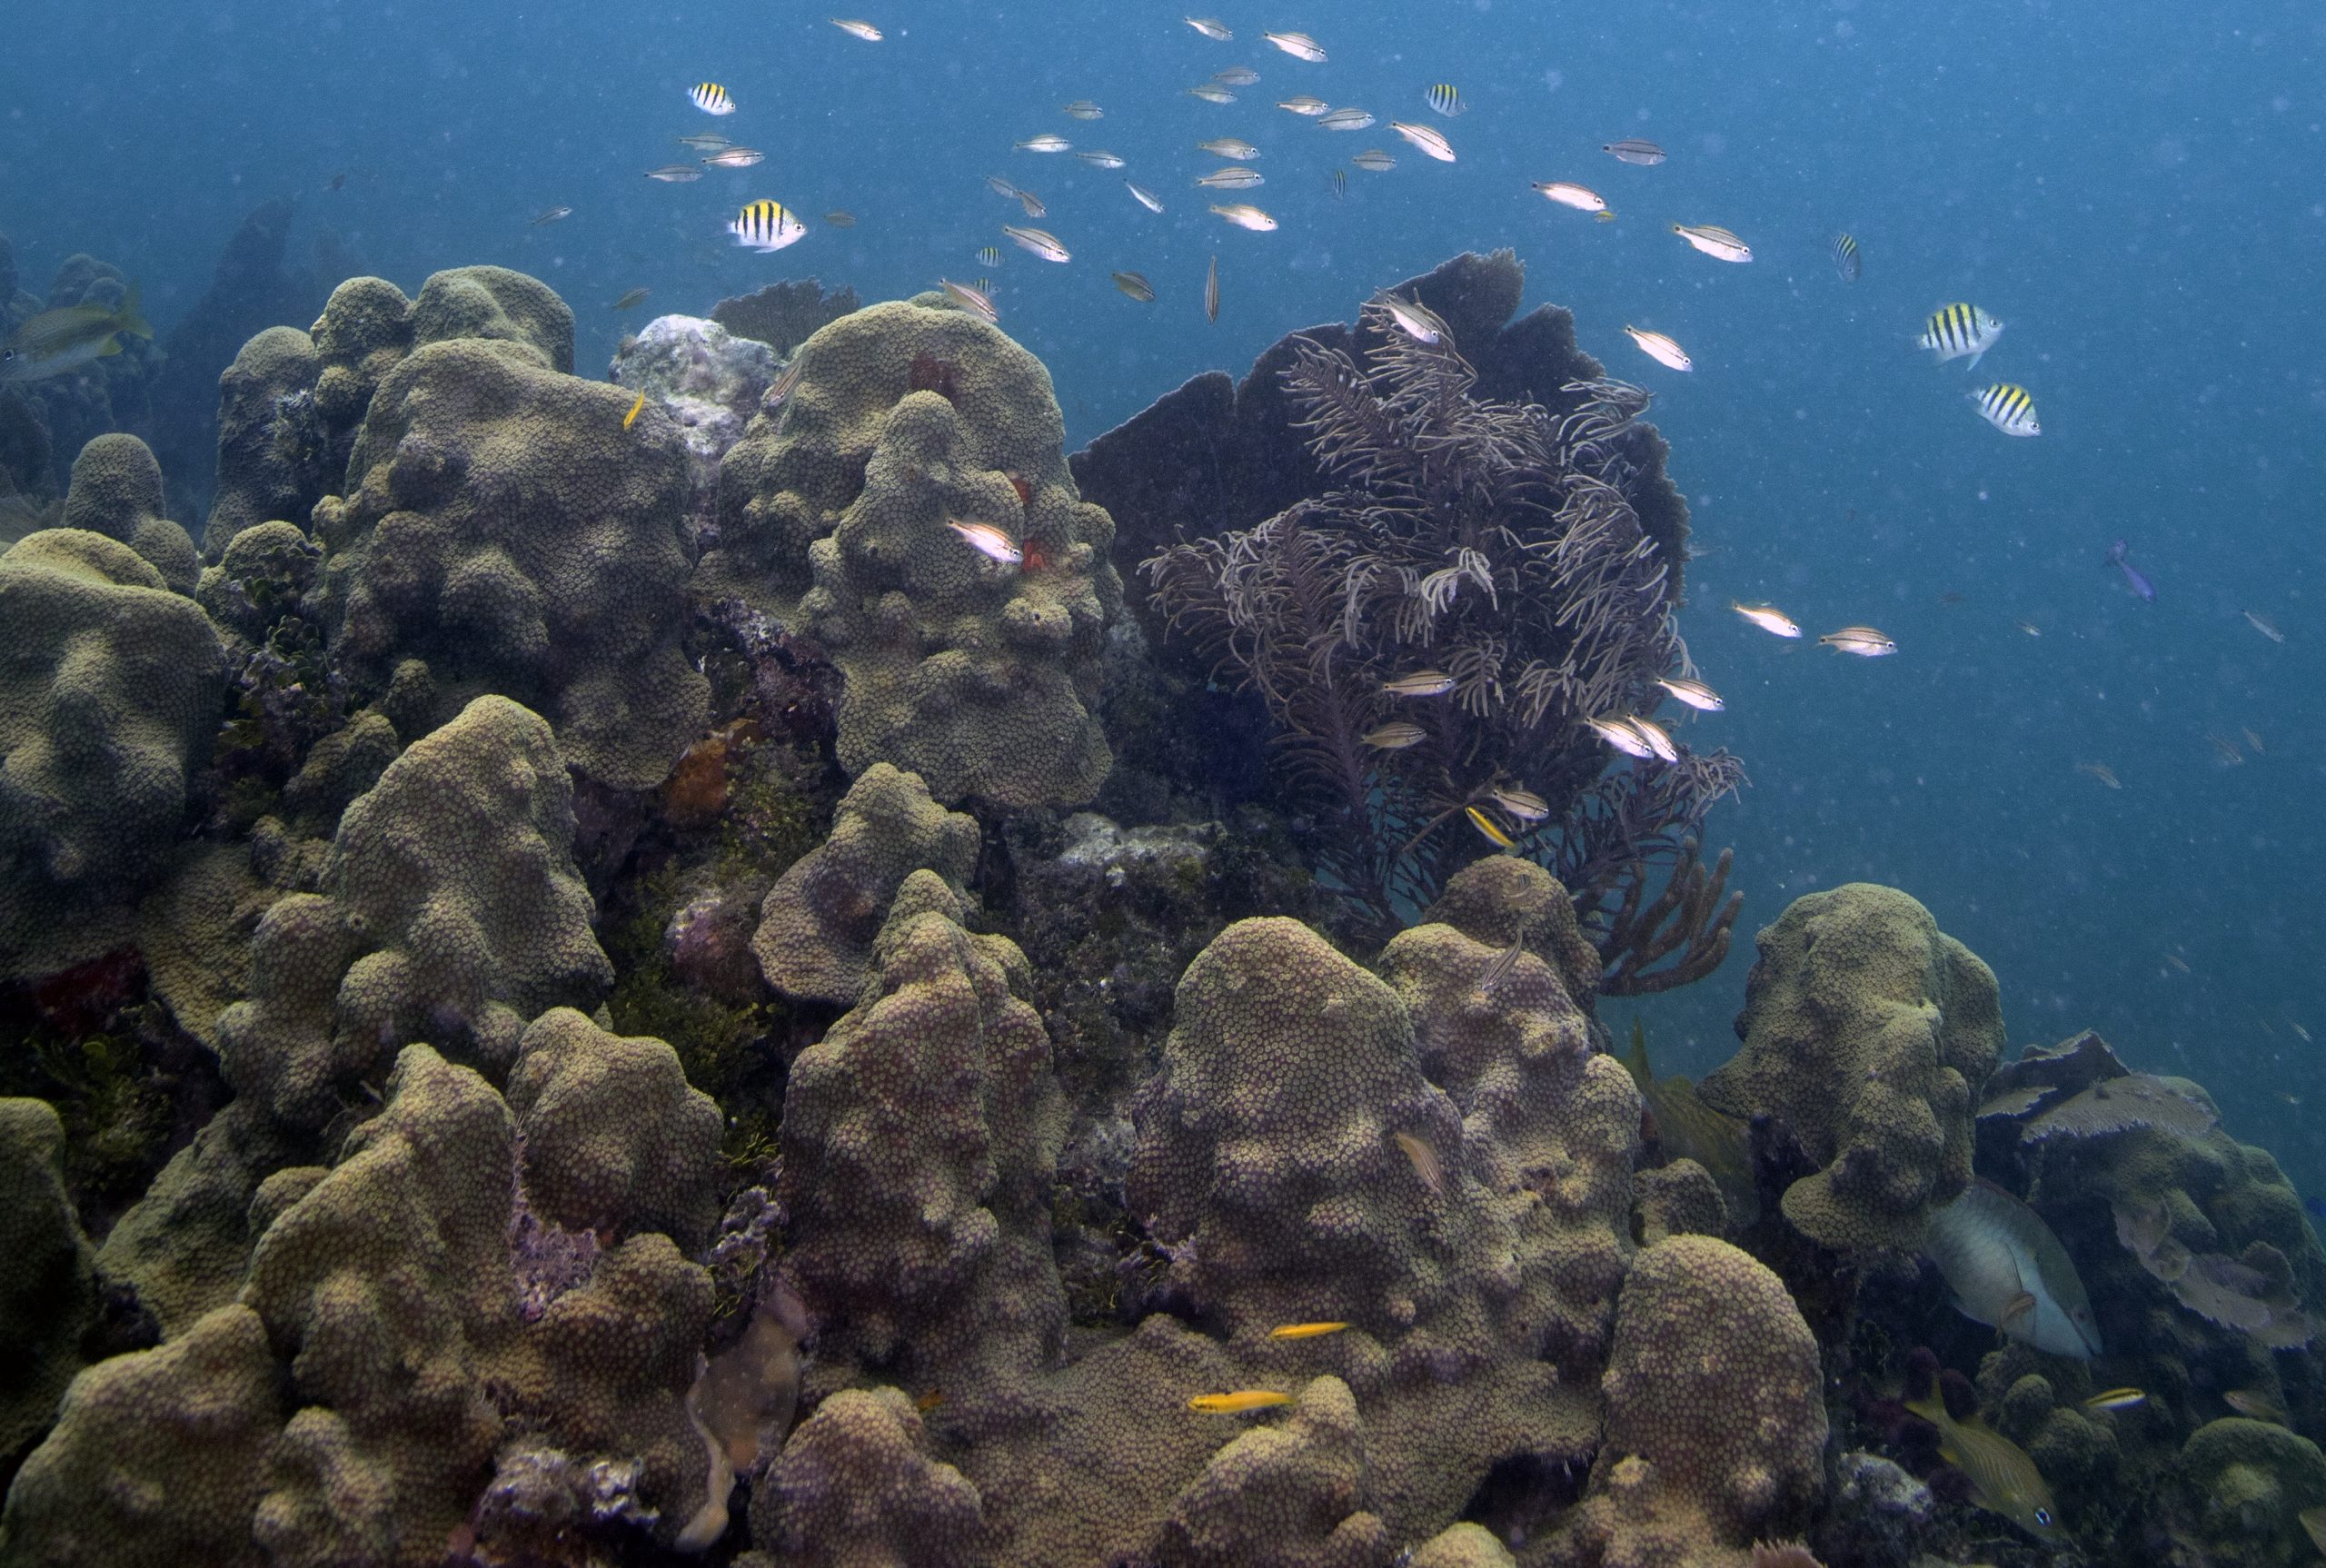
[(836, 513)]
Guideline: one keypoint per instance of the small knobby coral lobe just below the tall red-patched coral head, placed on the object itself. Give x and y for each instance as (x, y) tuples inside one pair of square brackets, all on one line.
[(818, 922)]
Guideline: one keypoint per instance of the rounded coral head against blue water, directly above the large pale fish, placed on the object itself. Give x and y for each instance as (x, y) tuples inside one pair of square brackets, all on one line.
[(1867, 1032)]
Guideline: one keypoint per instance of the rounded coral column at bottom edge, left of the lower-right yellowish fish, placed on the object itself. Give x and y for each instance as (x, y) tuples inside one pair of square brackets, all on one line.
[(1715, 1413)]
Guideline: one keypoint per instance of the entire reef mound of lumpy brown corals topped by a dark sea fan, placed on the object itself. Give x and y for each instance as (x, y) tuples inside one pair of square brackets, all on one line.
[(587, 983)]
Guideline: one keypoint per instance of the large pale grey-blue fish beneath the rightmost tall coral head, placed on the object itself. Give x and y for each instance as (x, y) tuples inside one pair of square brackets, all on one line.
[(2006, 1269)]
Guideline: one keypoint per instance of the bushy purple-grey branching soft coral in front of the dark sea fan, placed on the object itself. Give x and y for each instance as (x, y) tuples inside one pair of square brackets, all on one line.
[(1494, 546)]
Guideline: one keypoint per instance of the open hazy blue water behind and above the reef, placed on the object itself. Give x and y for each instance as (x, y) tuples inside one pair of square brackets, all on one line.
[(2134, 190)]
